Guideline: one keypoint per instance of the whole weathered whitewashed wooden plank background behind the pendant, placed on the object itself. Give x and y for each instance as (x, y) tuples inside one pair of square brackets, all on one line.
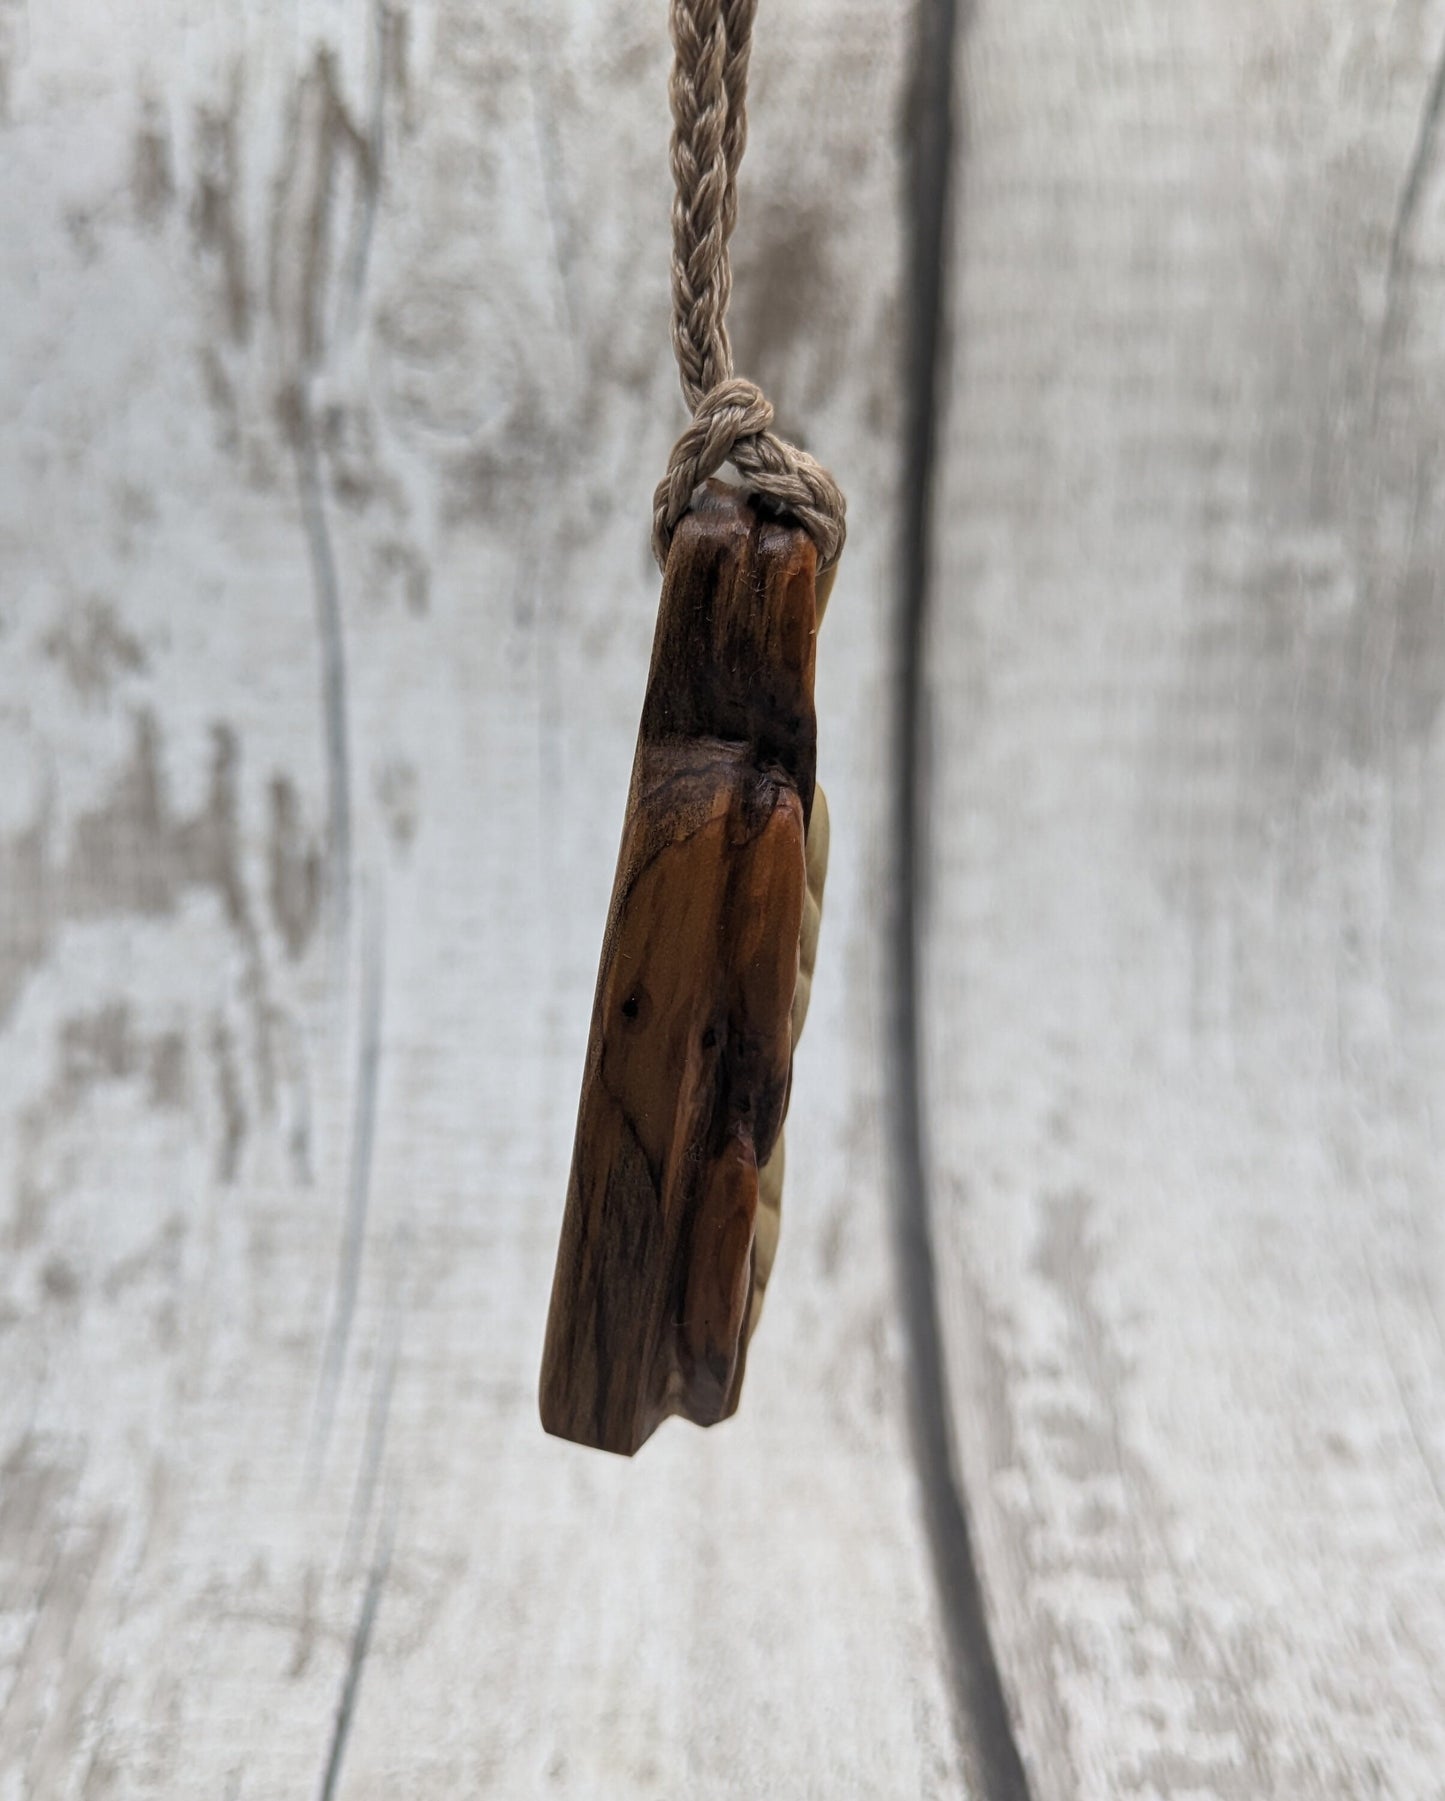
[(334, 379)]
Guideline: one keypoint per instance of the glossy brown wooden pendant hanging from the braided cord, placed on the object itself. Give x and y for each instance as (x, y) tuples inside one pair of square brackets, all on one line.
[(707, 963)]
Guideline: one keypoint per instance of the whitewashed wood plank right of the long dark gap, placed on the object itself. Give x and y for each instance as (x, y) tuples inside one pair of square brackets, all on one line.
[(1186, 914)]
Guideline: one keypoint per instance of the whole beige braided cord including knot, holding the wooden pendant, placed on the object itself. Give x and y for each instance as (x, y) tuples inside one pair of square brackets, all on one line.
[(732, 419)]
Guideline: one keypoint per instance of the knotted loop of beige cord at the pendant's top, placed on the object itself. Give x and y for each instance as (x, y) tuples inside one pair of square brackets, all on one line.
[(732, 422)]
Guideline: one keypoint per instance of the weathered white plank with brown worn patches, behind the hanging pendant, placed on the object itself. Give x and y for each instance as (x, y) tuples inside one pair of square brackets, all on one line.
[(336, 385)]
